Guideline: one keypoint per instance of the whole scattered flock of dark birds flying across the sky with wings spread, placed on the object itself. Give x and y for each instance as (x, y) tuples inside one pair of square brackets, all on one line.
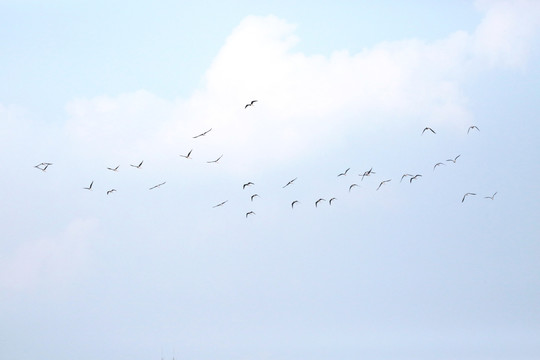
[(43, 166)]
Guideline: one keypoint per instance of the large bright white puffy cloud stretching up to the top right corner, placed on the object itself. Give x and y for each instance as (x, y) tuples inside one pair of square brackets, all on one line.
[(306, 98)]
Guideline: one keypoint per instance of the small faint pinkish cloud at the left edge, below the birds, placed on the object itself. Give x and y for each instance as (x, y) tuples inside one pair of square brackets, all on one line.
[(48, 260)]
